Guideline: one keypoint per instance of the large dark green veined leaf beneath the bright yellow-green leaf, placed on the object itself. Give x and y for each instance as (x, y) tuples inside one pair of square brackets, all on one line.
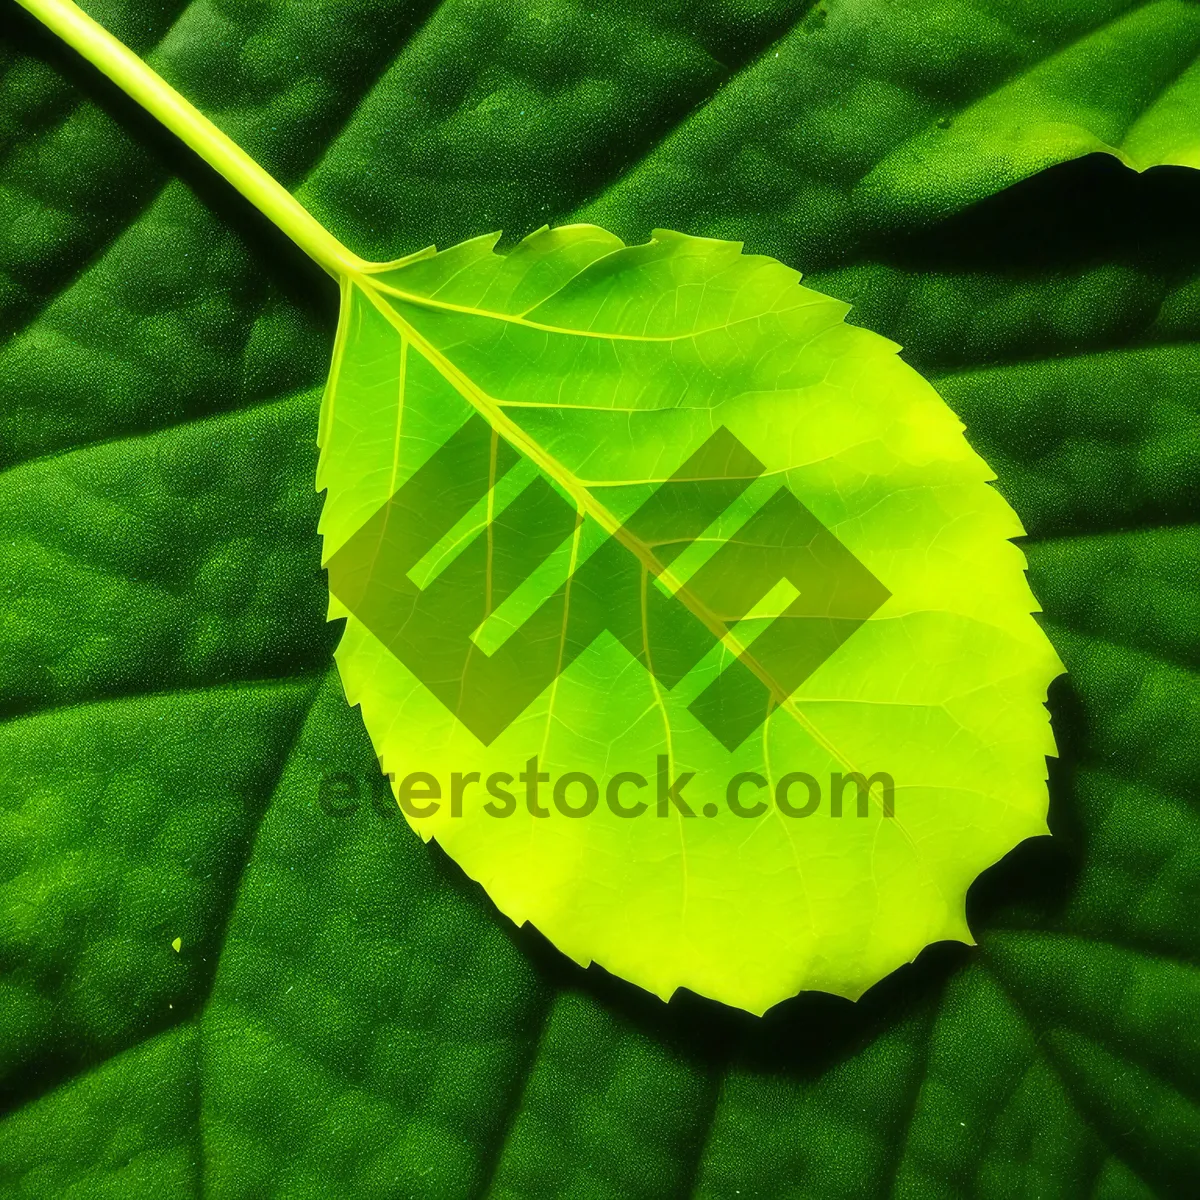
[(346, 1015)]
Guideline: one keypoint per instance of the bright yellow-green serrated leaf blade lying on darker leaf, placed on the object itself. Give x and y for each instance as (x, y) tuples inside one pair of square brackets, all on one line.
[(601, 369)]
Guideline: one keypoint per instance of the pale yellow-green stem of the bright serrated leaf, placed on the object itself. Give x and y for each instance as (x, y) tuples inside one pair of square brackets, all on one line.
[(193, 128)]
